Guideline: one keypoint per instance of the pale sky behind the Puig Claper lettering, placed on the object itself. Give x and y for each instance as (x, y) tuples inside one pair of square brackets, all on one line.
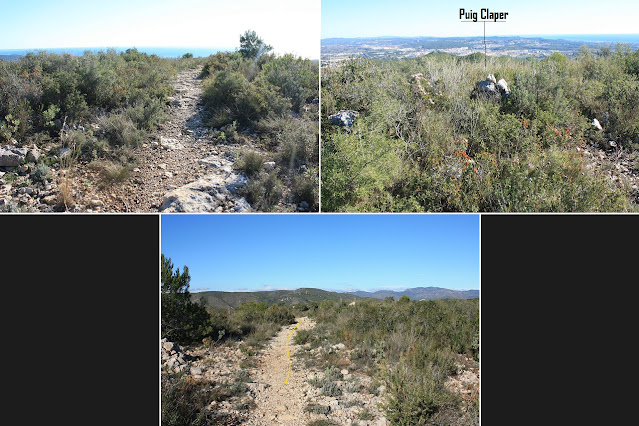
[(370, 18)]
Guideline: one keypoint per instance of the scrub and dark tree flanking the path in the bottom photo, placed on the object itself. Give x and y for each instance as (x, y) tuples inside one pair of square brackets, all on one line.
[(409, 347)]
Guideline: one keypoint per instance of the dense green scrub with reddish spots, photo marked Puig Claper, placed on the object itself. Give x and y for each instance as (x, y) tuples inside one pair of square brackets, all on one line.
[(444, 148)]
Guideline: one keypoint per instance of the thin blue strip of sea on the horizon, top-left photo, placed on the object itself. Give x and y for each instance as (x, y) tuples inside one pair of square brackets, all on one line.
[(164, 52)]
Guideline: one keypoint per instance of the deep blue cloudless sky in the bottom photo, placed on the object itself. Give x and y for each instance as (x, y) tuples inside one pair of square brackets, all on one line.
[(327, 251)]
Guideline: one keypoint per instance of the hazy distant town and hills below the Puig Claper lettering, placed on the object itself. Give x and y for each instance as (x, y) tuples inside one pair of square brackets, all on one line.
[(338, 49)]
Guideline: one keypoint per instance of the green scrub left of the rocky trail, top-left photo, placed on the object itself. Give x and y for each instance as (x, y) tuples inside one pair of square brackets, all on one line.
[(91, 109)]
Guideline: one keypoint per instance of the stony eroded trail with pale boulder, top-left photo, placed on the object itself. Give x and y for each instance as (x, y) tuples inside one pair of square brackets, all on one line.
[(180, 168)]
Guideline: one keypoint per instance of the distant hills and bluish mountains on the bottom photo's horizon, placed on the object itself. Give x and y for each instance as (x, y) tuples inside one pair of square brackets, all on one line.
[(228, 299)]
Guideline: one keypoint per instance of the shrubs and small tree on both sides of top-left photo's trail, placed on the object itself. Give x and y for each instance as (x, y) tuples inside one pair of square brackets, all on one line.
[(95, 108)]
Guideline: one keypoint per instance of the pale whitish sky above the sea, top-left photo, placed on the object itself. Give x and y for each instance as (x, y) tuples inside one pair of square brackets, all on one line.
[(290, 26)]
